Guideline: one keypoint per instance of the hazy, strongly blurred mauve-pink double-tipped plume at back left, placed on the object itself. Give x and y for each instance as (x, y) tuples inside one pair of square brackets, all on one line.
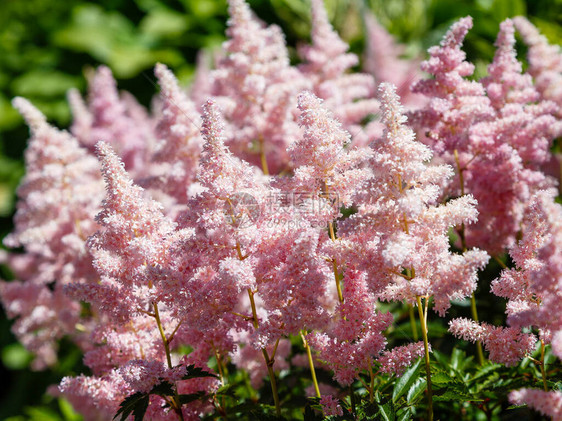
[(117, 118)]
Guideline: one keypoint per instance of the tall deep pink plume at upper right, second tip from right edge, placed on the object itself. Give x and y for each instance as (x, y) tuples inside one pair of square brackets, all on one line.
[(507, 153)]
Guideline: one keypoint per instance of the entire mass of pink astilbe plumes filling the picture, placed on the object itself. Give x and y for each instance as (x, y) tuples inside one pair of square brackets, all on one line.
[(194, 245)]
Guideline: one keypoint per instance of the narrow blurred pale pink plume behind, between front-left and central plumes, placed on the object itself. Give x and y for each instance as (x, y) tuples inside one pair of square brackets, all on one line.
[(179, 139)]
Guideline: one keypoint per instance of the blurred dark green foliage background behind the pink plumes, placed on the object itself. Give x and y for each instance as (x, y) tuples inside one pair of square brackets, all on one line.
[(48, 46)]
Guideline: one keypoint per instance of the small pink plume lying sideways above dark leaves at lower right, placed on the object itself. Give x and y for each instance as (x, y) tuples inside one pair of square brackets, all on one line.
[(506, 345)]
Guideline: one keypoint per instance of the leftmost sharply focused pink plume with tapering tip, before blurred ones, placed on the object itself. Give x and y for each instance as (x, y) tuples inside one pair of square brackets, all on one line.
[(130, 247)]
